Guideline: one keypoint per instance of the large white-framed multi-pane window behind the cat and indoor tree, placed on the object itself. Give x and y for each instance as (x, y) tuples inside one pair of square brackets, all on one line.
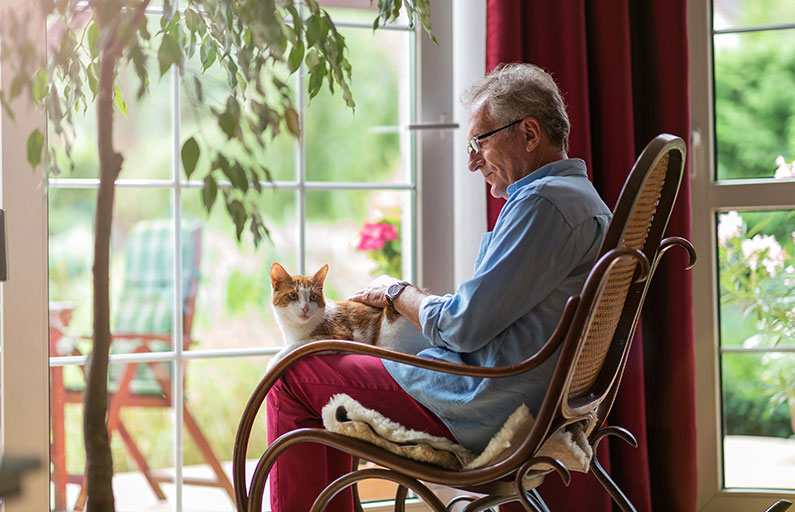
[(212, 333)]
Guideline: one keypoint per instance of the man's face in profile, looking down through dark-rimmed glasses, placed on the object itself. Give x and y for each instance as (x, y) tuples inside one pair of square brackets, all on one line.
[(502, 157)]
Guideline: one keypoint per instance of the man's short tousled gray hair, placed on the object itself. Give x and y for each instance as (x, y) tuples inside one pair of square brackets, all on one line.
[(516, 91)]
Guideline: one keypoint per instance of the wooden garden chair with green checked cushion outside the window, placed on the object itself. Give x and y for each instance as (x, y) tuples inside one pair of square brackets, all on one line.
[(142, 323)]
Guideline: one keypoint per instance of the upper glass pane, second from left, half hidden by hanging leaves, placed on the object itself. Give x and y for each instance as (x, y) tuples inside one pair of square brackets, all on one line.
[(199, 122)]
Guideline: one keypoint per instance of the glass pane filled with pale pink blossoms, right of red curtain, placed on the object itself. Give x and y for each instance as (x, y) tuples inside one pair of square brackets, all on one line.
[(756, 269)]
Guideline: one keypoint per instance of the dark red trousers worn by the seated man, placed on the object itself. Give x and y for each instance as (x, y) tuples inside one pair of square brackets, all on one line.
[(295, 401)]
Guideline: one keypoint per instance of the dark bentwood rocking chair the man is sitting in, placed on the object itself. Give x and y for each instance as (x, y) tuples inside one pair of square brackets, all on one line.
[(591, 343)]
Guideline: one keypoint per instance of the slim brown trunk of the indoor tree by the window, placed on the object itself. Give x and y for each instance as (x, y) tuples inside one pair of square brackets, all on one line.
[(99, 465)]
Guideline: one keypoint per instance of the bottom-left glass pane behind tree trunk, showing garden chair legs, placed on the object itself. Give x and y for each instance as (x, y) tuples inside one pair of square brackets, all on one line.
[(142, 436)]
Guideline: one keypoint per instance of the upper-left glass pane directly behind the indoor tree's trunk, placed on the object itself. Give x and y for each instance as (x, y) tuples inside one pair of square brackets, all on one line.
[(142, 135)]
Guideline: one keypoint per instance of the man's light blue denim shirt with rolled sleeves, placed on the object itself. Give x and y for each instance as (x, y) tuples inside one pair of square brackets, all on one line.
[(544, 243)]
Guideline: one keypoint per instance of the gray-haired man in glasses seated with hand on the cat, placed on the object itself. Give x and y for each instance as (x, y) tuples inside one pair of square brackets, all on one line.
[(544, 243)]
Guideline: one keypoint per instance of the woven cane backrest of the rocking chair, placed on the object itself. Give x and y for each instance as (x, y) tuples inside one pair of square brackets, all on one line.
[(639, 221)]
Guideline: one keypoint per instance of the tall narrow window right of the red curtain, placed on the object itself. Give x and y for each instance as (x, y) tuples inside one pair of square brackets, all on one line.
[(742, 151)]
